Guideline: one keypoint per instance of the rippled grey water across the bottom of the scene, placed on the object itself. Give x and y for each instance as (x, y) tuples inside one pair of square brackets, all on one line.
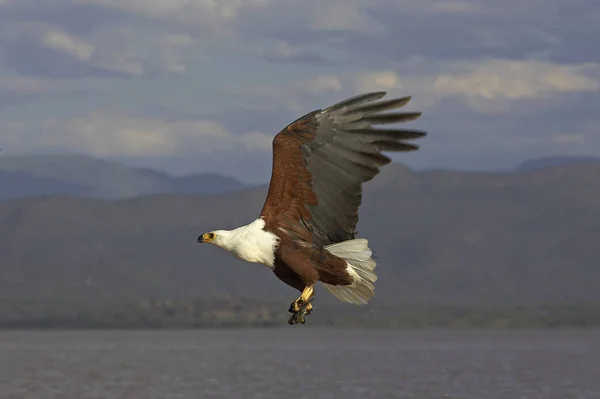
[(299, 363)]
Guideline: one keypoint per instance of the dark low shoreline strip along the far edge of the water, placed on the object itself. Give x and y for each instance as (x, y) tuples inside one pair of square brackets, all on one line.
[(240, 314)]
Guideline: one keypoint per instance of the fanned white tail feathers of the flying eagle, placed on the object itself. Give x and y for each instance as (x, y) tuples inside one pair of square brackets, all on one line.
[(360, 266)]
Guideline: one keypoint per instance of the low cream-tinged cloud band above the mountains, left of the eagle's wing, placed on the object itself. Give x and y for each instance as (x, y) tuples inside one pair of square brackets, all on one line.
[(104, 133)]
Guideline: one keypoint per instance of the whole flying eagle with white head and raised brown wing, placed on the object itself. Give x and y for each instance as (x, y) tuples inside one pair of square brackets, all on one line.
[(306, 231)]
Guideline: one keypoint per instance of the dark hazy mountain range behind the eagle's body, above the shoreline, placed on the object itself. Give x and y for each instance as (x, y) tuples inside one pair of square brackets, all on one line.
[(440, 237)]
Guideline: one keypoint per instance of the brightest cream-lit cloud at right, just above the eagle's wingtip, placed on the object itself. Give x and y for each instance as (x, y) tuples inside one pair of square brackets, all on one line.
[(487, 86)]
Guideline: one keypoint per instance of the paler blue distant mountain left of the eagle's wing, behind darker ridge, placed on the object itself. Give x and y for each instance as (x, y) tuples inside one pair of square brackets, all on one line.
[(35, 175)]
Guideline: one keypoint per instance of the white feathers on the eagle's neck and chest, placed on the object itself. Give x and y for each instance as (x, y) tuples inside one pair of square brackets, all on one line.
[(249, 243)]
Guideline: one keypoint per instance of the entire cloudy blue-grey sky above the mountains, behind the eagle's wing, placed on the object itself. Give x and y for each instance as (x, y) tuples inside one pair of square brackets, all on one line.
[(193, 86)]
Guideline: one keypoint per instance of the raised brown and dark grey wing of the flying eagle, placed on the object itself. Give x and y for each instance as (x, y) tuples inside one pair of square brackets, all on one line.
[(321, 160)]
